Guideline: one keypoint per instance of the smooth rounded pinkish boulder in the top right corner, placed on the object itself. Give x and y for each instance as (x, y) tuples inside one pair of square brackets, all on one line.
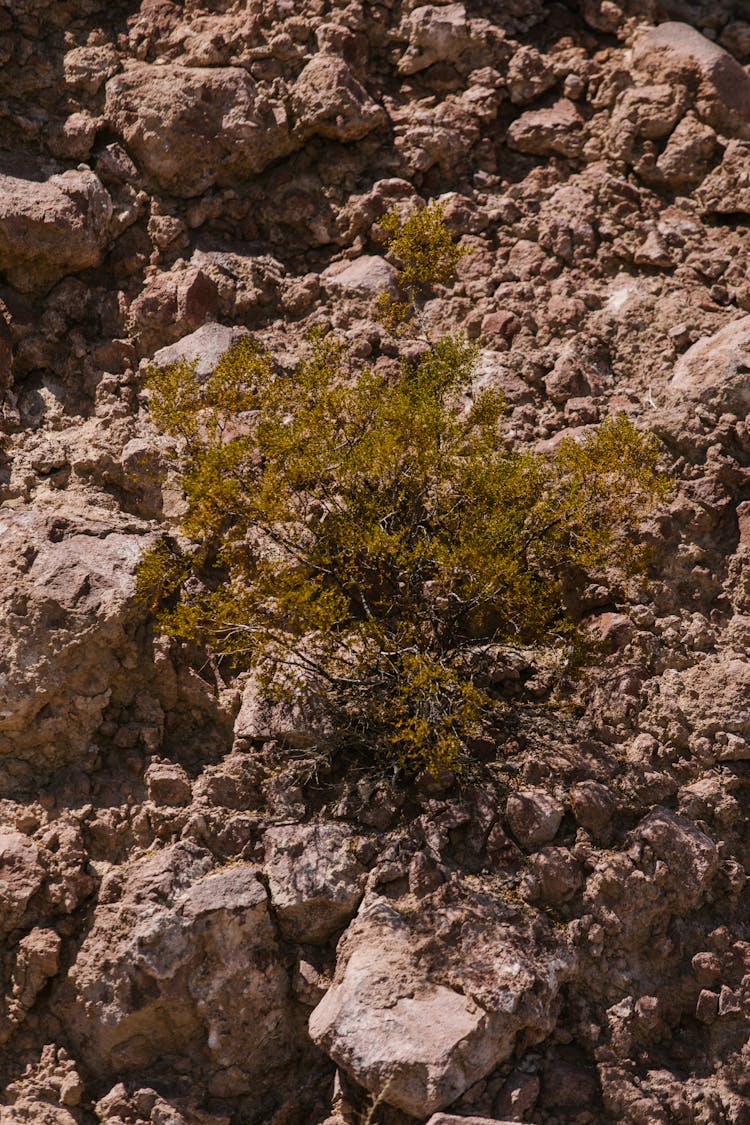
[(675, 52)]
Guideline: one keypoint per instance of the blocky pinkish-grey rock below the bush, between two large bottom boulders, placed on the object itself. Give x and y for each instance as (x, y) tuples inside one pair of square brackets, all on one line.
[(315, 879)]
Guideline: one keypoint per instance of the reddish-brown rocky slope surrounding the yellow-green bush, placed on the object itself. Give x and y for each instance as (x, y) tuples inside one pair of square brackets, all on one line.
[(206, 924)]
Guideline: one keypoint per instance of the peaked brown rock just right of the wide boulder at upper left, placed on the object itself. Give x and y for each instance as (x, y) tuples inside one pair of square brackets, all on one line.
[(329, 102)]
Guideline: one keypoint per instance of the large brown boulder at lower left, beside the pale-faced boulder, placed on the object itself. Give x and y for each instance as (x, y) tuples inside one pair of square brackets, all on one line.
[(182, 958)]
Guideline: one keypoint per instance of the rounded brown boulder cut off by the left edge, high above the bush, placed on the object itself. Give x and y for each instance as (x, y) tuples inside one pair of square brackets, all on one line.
[(52, 228)]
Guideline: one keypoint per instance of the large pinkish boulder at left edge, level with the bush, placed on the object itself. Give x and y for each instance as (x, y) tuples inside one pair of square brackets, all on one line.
[(69, 620)]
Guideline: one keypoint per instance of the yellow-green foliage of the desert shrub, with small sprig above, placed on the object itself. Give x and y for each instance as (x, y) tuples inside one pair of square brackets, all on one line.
[(367, 538)]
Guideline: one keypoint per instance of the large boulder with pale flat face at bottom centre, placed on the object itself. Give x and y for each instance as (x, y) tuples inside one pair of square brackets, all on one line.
[(423, 1006)]
